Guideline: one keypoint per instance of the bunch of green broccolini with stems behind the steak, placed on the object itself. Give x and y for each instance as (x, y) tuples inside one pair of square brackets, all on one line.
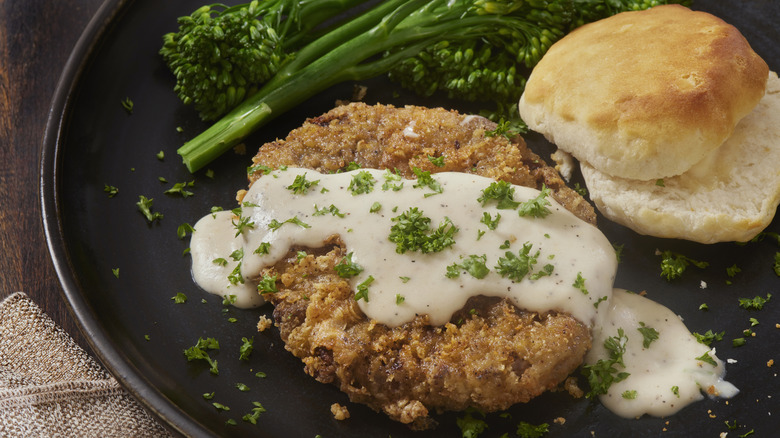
[(255, 61)]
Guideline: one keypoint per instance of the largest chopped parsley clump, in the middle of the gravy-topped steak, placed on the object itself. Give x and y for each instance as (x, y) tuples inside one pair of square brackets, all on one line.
[(412, 232)]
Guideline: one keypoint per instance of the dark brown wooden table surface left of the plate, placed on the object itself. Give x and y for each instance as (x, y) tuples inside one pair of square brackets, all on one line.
[(36, 38)]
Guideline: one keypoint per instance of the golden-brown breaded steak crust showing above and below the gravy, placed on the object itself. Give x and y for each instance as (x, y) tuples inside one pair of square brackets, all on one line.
[(491, 354)]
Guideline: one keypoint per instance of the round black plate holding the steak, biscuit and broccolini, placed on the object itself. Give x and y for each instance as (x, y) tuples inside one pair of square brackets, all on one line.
[(92, 141)]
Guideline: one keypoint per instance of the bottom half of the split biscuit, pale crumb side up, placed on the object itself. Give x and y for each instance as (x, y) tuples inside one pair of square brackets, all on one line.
[(731, 195)]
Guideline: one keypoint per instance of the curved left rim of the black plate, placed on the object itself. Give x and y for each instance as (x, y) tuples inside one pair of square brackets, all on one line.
[(122, 368)]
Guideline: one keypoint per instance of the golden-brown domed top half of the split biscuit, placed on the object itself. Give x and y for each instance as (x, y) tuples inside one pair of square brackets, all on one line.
[(644, 94)]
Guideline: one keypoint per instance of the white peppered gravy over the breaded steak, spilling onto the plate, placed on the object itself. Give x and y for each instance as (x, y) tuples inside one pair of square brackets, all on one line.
[(571, 267)]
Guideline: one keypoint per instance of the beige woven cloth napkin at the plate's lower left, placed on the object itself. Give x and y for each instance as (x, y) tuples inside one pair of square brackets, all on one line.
[(50, 387)]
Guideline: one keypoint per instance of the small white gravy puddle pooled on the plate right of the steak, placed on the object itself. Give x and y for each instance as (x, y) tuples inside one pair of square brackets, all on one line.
[(665, 376)]
